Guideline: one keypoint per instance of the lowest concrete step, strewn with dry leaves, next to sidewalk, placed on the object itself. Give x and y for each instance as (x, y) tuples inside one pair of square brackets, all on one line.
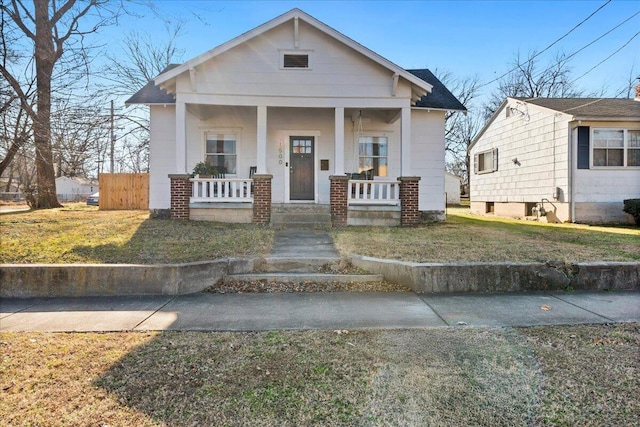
[(303, 277)]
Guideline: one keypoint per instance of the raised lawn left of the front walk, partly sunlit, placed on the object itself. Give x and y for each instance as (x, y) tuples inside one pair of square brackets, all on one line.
[(81, 234)]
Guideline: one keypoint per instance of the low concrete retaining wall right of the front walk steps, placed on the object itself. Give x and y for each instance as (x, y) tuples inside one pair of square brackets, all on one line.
[(504, 277)]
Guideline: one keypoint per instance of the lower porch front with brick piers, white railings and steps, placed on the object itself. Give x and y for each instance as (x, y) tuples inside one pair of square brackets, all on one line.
[(352, 201)]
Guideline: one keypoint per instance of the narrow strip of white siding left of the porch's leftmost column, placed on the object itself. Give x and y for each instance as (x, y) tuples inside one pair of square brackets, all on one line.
[(162, 155)]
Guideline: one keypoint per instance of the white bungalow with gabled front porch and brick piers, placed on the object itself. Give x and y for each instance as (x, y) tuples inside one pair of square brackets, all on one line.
[(294, 112)]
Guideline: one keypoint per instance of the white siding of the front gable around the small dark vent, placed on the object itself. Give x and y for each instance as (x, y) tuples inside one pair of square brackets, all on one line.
[(253, 69)]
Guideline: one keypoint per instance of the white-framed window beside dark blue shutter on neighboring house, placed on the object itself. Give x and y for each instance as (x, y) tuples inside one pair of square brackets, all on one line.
[(615, 148)]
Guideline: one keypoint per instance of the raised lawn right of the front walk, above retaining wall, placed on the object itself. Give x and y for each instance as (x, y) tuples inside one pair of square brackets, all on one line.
[(464, 237)]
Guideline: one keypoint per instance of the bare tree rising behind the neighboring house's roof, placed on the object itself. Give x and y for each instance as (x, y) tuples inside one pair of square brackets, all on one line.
[(530, 79)]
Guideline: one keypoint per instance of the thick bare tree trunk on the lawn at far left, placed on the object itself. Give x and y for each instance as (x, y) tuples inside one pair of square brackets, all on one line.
[(45, 57)]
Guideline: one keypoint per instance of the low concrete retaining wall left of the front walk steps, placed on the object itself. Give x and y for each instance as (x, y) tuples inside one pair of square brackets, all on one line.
[(73, 280)]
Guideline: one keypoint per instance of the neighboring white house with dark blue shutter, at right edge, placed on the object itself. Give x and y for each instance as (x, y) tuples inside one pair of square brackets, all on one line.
[(576, 158)]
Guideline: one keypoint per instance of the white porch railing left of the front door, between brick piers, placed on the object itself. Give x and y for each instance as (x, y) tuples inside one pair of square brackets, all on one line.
[(221, 190)]
